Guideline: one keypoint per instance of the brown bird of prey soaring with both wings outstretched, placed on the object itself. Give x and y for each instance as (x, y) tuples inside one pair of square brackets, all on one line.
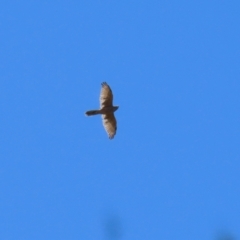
[(106, 110)]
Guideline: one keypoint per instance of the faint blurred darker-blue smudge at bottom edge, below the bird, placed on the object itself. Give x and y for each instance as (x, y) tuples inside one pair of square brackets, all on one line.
[(113, 227)]
